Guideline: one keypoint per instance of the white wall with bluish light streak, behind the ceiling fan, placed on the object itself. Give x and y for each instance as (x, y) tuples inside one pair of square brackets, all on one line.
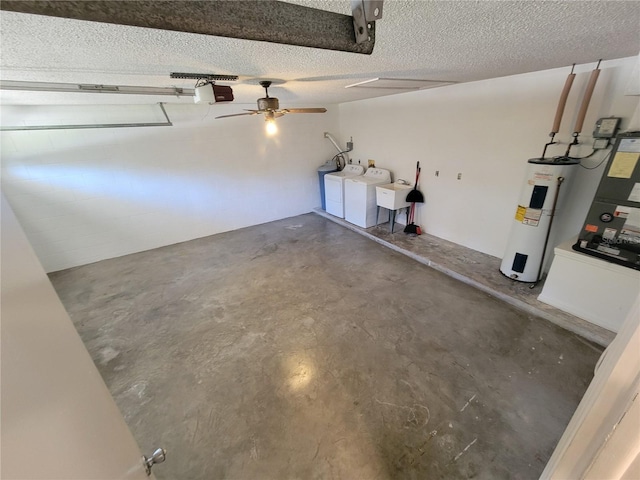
[(86, 195)]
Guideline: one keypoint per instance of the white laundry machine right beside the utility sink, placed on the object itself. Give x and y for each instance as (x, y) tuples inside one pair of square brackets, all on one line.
[(360, 205)]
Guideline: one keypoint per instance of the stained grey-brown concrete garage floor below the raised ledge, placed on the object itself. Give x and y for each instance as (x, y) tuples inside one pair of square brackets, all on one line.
[(299, 349)]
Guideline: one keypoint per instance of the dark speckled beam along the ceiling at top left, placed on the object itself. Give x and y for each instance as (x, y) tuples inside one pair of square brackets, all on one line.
[(261, 20)]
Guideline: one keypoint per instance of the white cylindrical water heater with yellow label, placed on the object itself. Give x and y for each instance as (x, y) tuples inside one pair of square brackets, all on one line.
[(545, 181)]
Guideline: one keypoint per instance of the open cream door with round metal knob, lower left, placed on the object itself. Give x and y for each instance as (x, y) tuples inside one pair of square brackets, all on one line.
[(58, 419)]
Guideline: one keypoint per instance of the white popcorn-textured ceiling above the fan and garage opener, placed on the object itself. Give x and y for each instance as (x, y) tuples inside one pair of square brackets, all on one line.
[(456, 41)]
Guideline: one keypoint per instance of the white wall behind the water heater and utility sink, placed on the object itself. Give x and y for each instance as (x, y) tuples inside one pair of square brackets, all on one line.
[(486, 130)]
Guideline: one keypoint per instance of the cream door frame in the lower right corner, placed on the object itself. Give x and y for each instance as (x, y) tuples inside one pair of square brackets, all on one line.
[(602, 439)]
